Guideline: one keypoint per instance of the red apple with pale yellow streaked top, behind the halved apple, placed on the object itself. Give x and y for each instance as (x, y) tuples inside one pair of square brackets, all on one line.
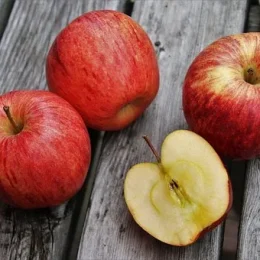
[(221, 101)]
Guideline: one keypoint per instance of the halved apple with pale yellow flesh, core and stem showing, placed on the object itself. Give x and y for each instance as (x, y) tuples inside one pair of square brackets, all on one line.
[(186, 193)]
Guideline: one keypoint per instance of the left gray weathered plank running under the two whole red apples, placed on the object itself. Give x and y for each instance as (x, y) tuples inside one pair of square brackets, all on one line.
[(33, 24)]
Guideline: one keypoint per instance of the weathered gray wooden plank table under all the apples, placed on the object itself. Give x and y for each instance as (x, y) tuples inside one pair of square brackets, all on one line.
[(96, 224)]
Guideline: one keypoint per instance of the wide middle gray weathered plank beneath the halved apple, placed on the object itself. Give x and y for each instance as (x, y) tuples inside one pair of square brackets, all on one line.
[(179, 30)]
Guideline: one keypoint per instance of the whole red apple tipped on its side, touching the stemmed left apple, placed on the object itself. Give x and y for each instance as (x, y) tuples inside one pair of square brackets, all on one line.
[(104, 64)]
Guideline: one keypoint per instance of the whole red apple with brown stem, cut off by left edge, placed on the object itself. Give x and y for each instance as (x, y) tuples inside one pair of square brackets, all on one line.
[(44, 149)]
